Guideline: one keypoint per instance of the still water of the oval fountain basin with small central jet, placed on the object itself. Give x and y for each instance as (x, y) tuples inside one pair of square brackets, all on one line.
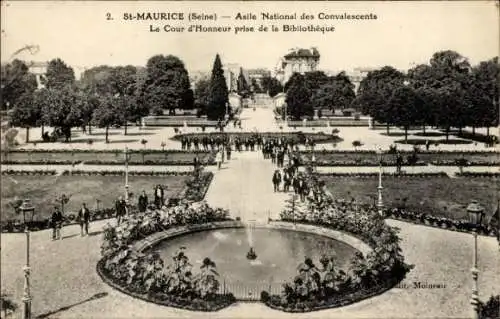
[(279, 252)]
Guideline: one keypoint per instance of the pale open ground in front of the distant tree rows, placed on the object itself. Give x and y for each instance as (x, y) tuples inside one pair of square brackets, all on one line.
[(258, 120)]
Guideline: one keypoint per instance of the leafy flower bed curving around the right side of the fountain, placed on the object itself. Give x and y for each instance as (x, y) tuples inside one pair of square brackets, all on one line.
[(316, 288)]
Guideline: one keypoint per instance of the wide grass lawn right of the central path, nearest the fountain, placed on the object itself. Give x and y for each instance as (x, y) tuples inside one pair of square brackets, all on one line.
[(440, 196)]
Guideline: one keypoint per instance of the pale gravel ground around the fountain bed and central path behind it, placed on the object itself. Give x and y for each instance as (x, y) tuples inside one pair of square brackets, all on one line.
[(66, 285)]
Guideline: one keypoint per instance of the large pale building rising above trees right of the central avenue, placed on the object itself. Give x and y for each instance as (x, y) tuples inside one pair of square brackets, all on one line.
[(297, 61)]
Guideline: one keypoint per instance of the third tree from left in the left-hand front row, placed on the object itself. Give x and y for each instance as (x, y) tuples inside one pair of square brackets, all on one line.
[(108, 113)]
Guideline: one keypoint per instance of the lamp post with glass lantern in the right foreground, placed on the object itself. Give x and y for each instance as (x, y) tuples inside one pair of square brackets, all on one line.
[(476, 214)]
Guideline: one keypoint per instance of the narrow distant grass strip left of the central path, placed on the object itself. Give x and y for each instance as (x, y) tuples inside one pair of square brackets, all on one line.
[(112, 157)]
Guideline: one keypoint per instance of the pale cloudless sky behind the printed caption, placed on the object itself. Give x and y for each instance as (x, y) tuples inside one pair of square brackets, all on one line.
[(404, 33)]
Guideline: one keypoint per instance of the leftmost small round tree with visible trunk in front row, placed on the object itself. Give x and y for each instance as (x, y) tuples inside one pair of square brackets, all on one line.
[(26, 113)]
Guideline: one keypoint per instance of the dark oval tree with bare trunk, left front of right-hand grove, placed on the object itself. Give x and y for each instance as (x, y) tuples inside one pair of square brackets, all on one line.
[(403, 106)]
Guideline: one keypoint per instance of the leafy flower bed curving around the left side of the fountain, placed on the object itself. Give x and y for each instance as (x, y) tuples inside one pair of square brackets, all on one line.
[(143, 275)]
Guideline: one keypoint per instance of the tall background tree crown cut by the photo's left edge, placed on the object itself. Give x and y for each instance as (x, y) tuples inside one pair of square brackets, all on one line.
[(15, 81)]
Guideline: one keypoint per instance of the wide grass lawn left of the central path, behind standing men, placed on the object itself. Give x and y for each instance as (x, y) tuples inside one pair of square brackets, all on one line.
[(43, 190)]
